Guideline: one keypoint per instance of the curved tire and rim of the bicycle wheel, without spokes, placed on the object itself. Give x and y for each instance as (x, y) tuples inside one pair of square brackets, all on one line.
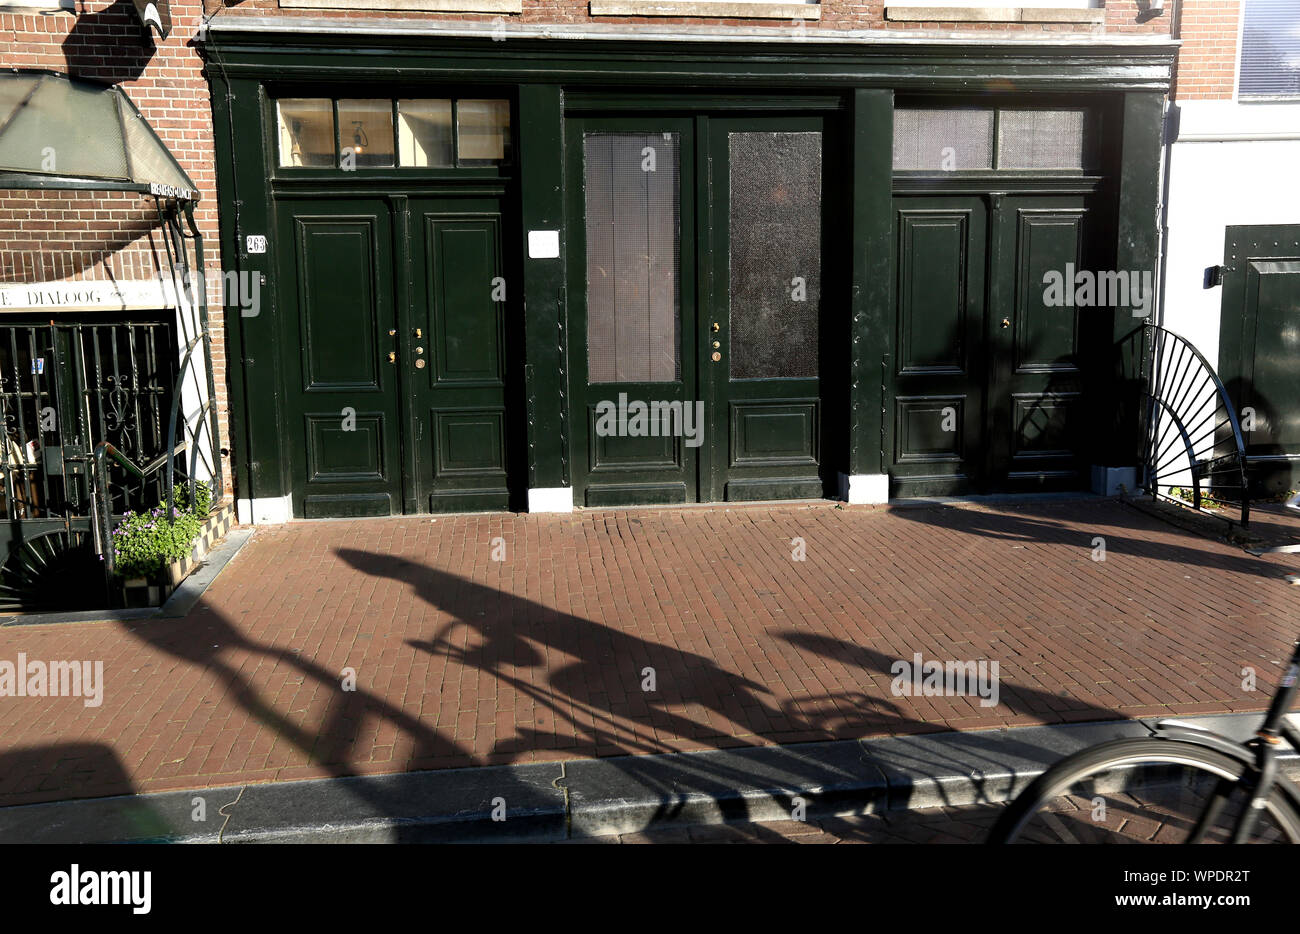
[(1282, 802)]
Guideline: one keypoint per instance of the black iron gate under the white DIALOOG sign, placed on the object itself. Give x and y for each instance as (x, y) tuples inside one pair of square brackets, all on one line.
[(66, 388)]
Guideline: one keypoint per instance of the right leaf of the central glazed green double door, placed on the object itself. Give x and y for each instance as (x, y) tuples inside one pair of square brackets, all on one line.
[(768, 310)]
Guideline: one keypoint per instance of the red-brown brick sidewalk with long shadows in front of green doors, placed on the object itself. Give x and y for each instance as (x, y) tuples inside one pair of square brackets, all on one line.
[(462, 660)]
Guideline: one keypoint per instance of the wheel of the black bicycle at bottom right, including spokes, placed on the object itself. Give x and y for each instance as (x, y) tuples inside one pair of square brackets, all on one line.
[(1143, 792)]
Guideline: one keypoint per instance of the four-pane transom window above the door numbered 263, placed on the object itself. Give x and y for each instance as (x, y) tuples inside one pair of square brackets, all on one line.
[(384, 133)]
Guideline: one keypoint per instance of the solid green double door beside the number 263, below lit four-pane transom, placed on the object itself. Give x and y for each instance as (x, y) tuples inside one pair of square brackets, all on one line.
[(396, 332)]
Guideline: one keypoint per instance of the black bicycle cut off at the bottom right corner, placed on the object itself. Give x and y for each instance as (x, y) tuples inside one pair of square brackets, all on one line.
[(1181, 785)]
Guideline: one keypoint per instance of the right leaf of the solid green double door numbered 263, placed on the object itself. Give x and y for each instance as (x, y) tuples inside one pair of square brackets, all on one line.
[(460, 334)]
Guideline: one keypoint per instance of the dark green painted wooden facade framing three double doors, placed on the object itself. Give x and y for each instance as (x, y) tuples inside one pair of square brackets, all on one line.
[(512, 410)]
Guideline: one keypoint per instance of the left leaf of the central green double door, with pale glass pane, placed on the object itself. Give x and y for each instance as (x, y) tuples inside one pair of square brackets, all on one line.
[(632, 288)]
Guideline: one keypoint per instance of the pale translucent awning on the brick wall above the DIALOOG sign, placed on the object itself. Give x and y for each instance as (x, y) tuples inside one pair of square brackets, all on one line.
[(58, 132)]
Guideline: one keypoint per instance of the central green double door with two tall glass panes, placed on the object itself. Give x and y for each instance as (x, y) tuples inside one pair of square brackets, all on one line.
[(700, 308)]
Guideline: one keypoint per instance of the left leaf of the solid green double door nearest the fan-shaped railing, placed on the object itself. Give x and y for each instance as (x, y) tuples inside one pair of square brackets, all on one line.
[(941, 377)]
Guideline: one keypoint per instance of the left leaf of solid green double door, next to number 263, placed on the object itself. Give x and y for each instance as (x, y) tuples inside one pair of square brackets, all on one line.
[(339, 326)]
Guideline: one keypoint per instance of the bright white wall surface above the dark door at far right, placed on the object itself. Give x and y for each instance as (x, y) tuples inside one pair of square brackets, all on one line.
[(1232, 165)]
